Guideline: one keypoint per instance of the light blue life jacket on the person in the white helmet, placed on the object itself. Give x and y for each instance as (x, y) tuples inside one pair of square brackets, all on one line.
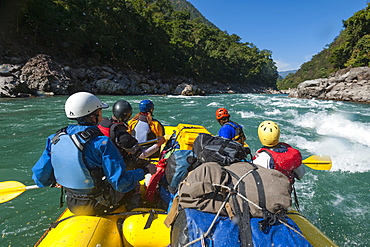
[(69, 167)]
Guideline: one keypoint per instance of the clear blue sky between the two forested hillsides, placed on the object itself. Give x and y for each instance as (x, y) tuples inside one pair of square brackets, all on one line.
[(294, 30)]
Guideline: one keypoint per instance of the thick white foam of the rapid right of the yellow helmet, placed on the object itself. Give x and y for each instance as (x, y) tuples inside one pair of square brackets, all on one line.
[(346, 141)]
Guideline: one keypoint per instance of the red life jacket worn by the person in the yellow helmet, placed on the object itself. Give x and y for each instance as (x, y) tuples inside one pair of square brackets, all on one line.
[(285, 162)]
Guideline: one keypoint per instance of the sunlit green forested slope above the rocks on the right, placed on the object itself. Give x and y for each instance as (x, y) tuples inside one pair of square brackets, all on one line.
[(350, 48)]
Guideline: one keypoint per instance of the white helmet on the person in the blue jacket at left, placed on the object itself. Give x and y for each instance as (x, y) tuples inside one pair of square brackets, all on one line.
[(82, 104)]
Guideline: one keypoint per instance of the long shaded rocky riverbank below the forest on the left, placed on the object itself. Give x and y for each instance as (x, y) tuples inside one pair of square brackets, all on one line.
[(42, 75)]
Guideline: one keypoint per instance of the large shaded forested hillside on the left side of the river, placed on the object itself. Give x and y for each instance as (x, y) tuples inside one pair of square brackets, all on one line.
[(142, 35)]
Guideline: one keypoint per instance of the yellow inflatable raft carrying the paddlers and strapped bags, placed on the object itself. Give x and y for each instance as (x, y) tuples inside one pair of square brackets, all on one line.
[(142, 227)]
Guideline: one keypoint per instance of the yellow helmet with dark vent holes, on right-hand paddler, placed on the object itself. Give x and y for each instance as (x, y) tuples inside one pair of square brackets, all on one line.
[(268, 133)]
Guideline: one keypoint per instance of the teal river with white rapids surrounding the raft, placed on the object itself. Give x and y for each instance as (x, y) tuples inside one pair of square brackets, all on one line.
[(336, 201)]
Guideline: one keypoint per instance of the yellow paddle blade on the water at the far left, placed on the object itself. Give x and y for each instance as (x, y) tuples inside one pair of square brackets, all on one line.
[(11, 189)]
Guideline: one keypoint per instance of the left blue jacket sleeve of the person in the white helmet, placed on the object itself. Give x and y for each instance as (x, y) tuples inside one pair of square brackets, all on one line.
[(43, 173)]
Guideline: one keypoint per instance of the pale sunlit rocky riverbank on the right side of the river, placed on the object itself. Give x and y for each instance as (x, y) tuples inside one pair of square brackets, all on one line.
[(350, 84)]
